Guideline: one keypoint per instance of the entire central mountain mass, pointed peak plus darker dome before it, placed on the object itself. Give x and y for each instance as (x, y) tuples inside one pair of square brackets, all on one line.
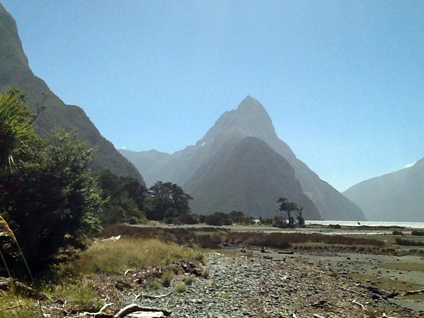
[(222, 159)]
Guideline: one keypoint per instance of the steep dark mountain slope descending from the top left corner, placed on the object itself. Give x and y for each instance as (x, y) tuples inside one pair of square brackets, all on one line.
[(15, 72)]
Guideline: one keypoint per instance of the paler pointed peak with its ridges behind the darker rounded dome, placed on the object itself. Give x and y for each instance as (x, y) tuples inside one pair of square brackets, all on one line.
[(250, 119)]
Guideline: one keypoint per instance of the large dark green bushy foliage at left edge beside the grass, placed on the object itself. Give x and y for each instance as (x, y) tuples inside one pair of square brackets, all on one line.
[(49, 197)]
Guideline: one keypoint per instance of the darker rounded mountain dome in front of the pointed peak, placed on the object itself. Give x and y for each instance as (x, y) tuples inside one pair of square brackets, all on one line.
[(246, 175)]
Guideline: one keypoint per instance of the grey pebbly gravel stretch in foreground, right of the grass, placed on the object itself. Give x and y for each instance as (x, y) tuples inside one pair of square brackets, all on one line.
[(258, 286)]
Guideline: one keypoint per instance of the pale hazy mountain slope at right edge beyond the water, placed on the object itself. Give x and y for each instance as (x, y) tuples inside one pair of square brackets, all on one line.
[(397, 196)]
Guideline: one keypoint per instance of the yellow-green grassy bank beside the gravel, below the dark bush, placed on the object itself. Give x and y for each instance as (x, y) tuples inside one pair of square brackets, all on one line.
[(98, 273)]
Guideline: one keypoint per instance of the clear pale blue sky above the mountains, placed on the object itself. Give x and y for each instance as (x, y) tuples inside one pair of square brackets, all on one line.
[(343, 81)]
